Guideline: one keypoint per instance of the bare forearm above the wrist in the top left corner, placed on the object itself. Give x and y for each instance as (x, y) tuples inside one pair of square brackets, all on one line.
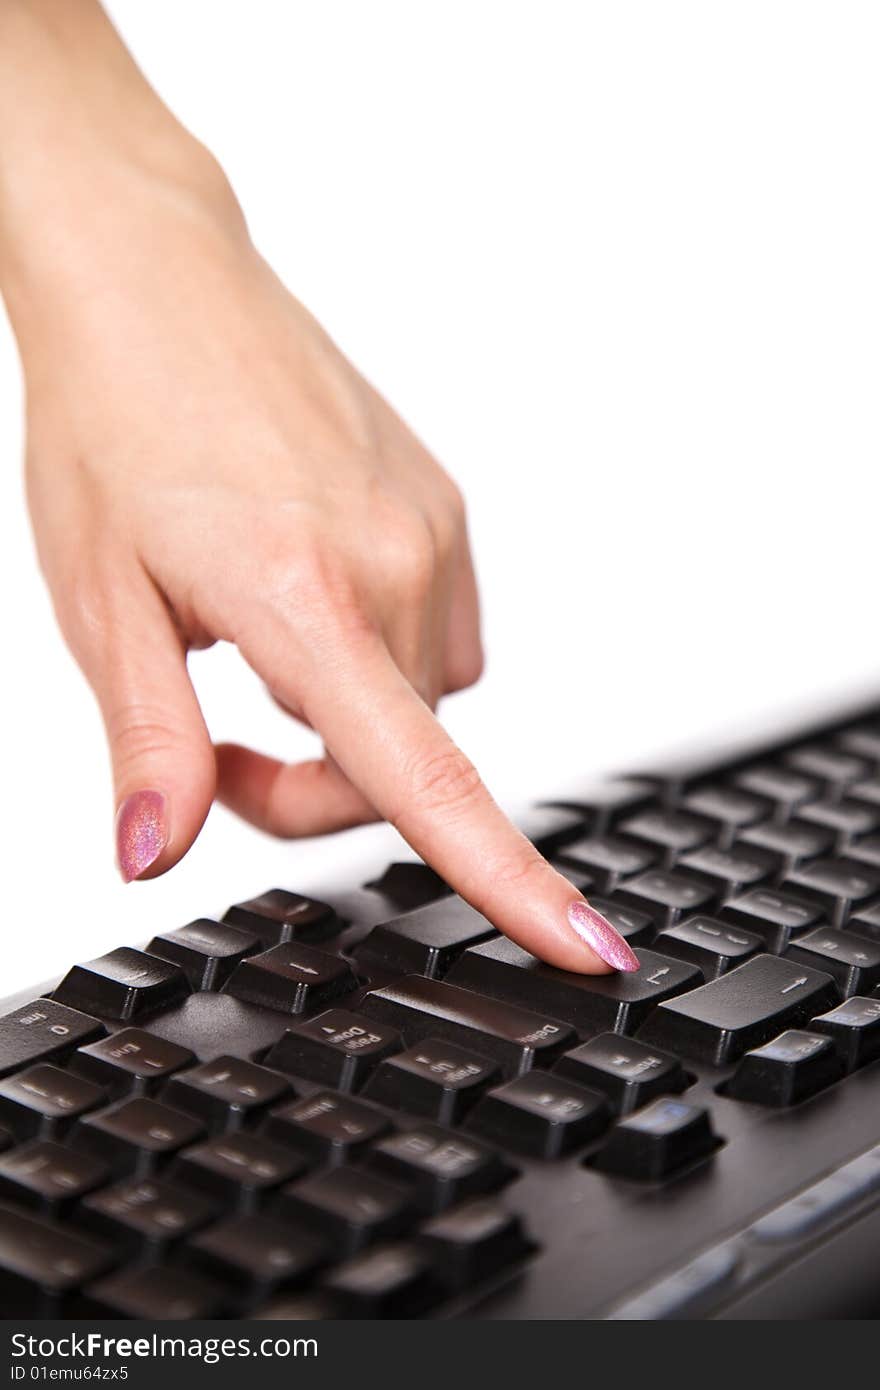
[(87, 148)]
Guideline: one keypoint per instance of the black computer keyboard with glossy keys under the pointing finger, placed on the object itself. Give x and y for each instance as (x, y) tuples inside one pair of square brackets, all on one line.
[(365, 1103)]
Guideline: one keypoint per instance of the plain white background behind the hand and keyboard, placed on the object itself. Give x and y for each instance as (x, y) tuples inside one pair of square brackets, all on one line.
[(618, 265)]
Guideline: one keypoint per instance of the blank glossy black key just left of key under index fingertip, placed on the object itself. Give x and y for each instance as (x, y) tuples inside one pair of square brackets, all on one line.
[(425, 942)]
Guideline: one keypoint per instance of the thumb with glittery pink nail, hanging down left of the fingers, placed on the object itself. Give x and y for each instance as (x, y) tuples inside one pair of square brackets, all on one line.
[(163, 761)]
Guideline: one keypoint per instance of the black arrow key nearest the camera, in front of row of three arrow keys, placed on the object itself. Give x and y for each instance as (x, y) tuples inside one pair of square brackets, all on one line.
[(291, 978)]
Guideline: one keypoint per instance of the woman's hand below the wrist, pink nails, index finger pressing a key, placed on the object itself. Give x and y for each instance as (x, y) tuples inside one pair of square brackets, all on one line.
[(205, 465)]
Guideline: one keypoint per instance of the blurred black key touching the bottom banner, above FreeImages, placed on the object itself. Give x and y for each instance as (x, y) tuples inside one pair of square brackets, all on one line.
[(156, 1295)]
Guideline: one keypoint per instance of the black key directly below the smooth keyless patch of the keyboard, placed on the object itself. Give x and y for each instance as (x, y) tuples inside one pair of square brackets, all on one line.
[(226, 1093)]
